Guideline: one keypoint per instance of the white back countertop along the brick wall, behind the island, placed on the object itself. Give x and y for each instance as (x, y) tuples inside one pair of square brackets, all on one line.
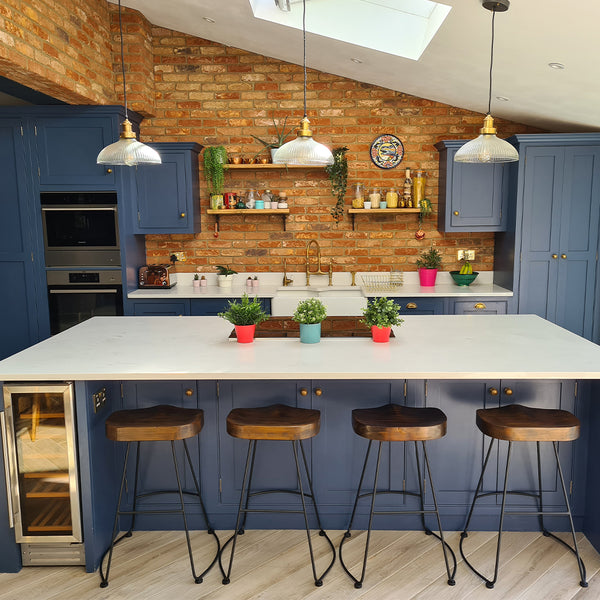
[(482, 287)]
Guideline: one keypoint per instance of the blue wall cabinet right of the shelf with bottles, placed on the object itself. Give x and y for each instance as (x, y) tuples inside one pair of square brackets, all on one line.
[(472, 197)]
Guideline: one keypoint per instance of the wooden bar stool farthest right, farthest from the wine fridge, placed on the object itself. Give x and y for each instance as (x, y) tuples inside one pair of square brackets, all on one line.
[(516, 423)]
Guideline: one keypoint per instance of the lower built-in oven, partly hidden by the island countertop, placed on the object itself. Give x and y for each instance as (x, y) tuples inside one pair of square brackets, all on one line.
[(74, 296)]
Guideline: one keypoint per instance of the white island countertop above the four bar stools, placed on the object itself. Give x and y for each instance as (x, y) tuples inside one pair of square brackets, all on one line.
[(425, 347)]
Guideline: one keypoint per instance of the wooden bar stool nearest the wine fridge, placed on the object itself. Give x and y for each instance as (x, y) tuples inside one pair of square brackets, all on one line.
[(158, 423)]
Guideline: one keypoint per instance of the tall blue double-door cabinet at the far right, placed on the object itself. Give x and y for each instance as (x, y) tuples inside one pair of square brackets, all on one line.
[(559, 233)]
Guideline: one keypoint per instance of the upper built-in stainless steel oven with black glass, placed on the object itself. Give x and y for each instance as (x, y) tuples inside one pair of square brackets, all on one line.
[(81, 229)]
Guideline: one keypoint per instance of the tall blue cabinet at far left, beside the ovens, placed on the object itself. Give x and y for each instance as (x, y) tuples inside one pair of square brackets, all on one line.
[(23, 308)]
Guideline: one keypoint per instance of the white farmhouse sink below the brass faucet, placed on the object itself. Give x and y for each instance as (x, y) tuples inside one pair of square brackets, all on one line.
[(339, 300)]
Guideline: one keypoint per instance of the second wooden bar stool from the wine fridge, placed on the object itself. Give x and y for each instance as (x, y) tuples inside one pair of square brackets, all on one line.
[(282, 423)]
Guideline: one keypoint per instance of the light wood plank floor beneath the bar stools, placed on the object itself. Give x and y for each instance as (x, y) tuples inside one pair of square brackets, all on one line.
[(273, 565)]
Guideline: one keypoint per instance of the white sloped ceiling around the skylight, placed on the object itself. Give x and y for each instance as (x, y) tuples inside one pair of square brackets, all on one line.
[(453, 69)]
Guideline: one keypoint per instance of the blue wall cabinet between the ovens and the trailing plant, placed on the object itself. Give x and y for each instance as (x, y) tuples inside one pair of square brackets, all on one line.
[(168, 197)]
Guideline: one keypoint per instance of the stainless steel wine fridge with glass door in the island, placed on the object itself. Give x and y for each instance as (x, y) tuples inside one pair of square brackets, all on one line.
[(41, 471)]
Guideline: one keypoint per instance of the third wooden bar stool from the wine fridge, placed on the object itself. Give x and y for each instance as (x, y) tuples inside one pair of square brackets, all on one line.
[(395, 423)]
